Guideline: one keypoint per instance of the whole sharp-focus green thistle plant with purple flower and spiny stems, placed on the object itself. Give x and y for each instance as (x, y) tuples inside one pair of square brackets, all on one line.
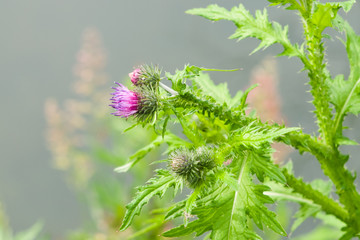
[(224, 154)]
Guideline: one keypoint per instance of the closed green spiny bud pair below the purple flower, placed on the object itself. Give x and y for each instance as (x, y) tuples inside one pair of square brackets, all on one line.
[(192, 165)]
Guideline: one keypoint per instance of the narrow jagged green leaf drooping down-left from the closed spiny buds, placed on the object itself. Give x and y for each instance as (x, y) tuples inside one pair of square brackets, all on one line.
[(155, 186)]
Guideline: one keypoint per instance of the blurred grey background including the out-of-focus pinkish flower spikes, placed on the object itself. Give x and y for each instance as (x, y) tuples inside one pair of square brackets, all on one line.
[(58, 62)]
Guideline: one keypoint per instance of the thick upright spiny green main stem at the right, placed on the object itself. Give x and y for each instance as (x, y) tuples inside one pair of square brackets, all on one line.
[(332, 161)]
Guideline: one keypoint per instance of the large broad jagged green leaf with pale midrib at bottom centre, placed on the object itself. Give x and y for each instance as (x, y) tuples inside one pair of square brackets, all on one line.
[(225, 212)]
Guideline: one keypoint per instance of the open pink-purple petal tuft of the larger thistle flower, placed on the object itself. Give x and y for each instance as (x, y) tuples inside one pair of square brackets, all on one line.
[(125, 102)]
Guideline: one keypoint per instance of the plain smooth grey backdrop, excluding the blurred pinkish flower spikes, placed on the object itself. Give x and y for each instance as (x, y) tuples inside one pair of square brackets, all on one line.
[(40, 43)]
